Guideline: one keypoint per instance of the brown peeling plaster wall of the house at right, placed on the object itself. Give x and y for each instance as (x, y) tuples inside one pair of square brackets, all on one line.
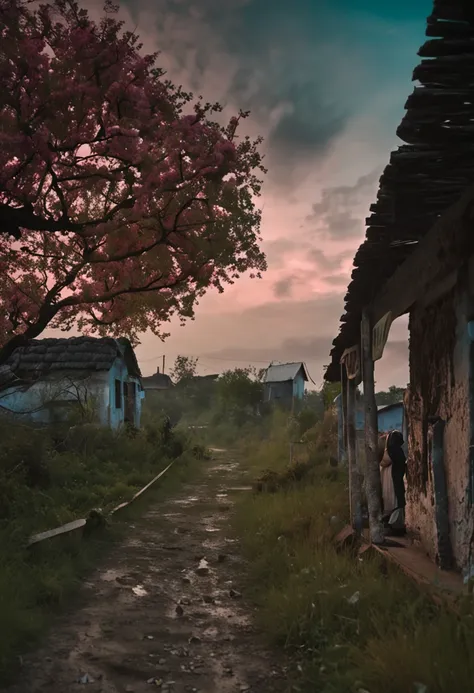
[(439, 387)]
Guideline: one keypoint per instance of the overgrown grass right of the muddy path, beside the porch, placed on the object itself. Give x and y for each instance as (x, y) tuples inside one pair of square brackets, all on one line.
[(351, 625)]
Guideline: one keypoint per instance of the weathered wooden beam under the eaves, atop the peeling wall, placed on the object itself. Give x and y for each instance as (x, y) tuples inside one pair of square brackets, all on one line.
[(437, 255)]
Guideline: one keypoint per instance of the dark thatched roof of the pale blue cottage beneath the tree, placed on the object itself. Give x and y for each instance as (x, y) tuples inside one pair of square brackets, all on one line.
[(41, 357)]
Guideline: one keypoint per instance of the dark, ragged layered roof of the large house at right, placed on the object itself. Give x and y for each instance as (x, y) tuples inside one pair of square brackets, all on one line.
[(426, 175)]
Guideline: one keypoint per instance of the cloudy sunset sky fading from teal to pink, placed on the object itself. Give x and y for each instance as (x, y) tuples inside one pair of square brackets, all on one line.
[(326, 82)]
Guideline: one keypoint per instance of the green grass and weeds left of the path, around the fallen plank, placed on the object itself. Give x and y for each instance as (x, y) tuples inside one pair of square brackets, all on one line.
[(48, 478)]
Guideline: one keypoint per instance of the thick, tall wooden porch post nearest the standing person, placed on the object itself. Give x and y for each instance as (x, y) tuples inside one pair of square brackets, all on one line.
[(373, 485)]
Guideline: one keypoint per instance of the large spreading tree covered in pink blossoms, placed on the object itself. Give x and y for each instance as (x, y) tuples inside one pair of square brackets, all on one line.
[(121, 200)]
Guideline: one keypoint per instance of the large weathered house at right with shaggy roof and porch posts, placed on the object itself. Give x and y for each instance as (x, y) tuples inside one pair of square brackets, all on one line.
[(418, 259)]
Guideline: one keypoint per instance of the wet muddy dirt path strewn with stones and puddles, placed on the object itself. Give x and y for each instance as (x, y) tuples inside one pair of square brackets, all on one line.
[(164, 612)]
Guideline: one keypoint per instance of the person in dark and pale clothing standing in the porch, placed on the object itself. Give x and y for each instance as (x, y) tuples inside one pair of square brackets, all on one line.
[(392, 469)]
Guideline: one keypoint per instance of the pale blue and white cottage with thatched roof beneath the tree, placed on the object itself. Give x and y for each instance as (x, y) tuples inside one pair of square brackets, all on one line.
[(49, 380)]
